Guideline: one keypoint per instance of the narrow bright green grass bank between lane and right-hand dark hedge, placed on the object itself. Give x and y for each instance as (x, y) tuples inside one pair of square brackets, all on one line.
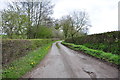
[(113, 58)]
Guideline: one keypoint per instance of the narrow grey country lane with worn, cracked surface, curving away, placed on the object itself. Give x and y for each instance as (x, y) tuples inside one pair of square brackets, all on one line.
[(62, 62)]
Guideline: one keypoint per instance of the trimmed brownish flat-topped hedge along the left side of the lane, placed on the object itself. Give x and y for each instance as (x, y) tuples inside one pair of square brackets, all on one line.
[(13, 49)]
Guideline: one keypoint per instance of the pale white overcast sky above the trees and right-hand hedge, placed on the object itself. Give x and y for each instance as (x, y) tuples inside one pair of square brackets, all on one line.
[(103, 14)]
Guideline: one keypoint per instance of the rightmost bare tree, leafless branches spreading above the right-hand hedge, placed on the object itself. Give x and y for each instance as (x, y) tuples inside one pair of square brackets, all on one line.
[(81, 21)]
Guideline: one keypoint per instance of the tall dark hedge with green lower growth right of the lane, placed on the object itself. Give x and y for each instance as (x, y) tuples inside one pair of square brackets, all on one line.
[(107, 42)]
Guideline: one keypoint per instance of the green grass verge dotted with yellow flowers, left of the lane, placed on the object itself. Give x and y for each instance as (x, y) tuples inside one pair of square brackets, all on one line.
[(24, 64)]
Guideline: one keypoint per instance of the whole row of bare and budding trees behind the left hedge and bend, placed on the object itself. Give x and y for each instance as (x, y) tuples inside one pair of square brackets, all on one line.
[(32, 19)]
